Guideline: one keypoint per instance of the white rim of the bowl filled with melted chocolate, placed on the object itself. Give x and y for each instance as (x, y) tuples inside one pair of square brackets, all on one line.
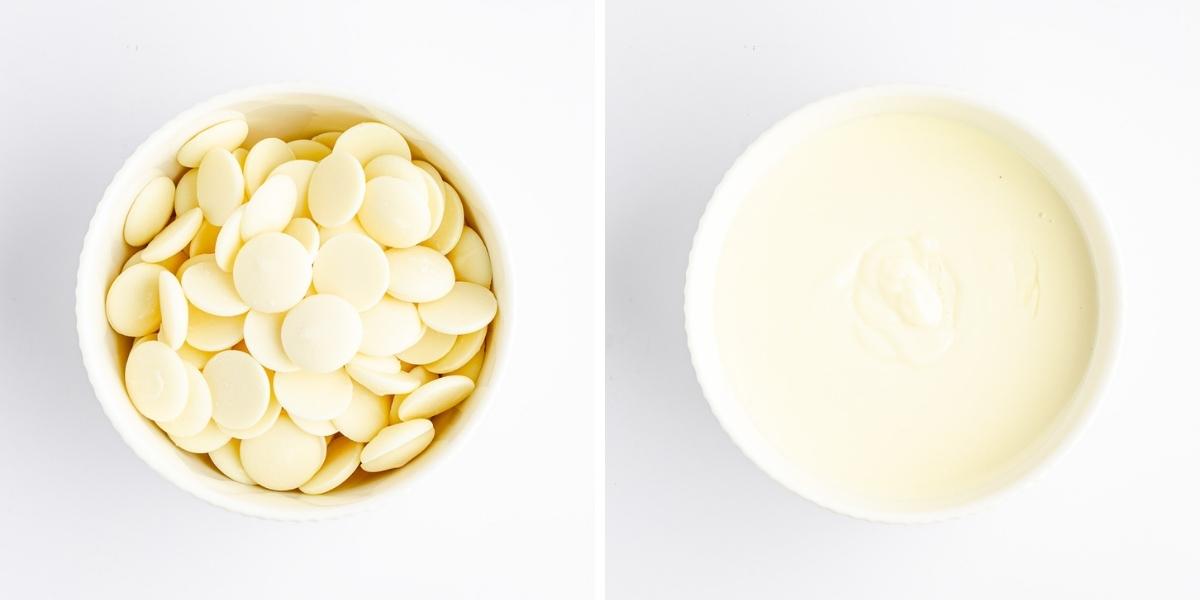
[(703, 345)]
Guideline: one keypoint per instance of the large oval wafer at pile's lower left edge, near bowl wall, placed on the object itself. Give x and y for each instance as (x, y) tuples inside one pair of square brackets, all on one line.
[(157, 381)]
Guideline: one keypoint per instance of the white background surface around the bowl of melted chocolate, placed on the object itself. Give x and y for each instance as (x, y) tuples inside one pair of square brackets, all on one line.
[(1115, 86)]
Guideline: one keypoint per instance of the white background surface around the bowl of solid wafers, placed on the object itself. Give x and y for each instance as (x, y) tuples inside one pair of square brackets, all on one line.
[(509, 89)]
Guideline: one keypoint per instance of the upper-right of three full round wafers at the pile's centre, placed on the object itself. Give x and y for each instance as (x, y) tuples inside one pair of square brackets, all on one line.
[(352, 268)]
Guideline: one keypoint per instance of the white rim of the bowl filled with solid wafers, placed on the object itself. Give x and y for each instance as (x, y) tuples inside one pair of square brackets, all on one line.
[(112, 401)]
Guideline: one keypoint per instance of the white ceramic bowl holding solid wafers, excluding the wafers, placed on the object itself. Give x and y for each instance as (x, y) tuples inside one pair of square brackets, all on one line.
[(285, 112)]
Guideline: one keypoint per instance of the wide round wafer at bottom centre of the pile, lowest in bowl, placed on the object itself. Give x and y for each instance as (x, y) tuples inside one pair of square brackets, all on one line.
[(284, 458)]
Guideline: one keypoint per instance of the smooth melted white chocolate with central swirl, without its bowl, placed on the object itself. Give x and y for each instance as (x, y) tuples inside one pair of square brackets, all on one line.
[(904, 305)]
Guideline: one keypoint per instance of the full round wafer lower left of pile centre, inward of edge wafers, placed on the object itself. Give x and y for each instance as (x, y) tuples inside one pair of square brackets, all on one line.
[(241, 389)]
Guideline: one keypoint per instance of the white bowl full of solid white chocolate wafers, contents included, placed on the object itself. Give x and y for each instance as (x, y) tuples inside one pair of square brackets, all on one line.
[(293, 303)]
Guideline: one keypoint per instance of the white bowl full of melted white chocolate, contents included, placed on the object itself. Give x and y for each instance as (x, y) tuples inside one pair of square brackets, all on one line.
[(901, 304)]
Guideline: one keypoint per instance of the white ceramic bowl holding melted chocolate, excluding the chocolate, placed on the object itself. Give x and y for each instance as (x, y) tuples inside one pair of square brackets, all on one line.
[(761, 157)]
